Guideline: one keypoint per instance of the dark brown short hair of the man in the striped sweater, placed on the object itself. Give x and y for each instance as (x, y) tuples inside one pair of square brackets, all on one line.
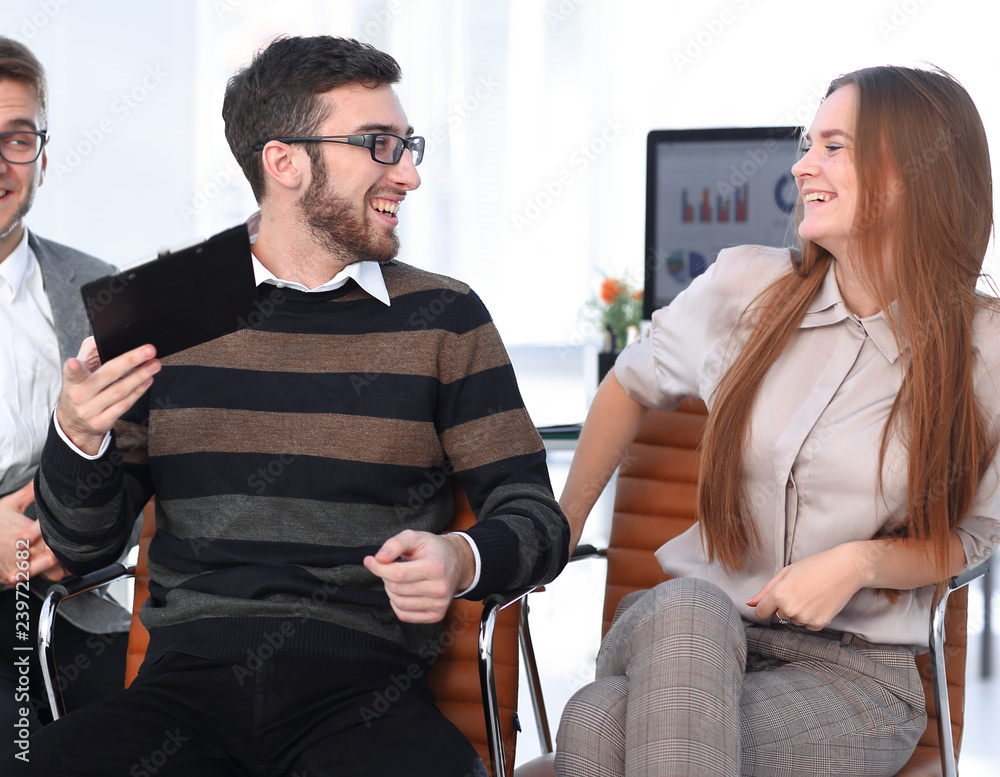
[(276, 95)]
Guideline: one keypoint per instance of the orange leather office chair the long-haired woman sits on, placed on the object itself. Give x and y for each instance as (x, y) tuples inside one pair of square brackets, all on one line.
[(655, 500)]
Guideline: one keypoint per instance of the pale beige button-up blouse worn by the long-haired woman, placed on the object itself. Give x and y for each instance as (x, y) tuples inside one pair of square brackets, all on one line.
[(815, 433)]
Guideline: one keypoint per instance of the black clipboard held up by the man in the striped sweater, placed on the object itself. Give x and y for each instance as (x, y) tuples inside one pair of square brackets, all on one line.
[(176, 300)]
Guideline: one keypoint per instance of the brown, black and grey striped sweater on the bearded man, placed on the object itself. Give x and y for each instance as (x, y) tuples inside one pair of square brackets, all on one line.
[(283, 454)]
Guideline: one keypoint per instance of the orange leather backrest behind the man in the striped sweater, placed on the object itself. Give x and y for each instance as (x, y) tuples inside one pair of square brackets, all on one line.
[(454, 676)]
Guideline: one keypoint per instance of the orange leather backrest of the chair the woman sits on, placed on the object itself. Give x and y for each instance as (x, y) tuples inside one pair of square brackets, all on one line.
[(656, 499)]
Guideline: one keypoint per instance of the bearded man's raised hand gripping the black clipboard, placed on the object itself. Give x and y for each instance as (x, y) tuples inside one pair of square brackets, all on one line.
[(94, 396)]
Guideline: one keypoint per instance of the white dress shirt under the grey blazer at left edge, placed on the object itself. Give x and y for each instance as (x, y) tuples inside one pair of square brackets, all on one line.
[(30, 366)]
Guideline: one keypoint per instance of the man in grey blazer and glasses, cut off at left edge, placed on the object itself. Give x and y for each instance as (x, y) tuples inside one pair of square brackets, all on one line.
[(42, 321)]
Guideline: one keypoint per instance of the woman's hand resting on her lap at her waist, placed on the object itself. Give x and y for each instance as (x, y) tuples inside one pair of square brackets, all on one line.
[(811, 592)]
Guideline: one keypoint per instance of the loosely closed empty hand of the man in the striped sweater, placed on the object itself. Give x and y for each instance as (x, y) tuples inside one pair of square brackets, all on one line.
[(422, 573)]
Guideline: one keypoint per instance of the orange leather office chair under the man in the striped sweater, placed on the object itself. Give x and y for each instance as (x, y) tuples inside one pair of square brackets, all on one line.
[(474, 680)]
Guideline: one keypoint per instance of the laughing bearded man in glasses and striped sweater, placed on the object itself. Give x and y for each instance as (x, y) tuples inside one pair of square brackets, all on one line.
[(303, 467)]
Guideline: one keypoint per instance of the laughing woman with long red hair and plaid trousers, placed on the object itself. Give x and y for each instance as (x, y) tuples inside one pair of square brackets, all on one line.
[(815, 494)]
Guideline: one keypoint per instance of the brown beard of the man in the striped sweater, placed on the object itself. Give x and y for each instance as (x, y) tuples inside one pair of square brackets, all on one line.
[(341, 226)]
